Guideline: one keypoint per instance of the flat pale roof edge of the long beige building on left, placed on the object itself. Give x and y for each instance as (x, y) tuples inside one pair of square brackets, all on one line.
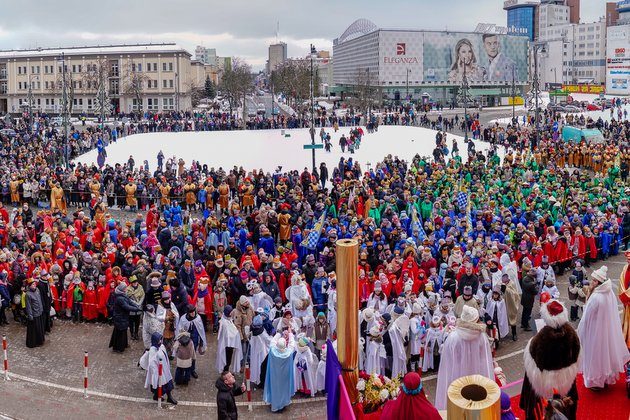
[(95, 50)]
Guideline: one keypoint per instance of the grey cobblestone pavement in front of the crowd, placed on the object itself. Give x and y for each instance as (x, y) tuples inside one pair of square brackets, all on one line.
[(117, 377)]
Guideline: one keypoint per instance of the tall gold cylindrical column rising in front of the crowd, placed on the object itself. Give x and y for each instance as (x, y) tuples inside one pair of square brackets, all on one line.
[(348, 313)]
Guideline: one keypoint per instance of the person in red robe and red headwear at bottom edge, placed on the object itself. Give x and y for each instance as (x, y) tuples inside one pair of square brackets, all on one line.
[(411, 403)]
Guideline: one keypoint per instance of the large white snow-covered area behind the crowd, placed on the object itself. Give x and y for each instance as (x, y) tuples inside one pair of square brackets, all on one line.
[(268, 149)]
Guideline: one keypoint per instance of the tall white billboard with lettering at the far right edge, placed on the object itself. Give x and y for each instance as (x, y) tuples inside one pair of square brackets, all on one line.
[(618, 60)]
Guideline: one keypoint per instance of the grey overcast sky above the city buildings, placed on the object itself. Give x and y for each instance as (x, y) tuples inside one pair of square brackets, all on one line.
[(242, 28)]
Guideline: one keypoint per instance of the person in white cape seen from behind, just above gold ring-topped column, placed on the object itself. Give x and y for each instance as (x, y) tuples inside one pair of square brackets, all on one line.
[(465, 352)]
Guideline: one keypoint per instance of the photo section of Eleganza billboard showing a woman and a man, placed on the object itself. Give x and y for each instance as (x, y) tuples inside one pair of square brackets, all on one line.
[(484, 58)]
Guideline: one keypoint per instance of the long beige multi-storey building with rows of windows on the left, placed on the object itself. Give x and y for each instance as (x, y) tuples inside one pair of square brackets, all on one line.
[(142, 77)]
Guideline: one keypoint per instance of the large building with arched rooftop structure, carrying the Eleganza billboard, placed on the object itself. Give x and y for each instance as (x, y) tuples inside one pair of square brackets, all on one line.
[(423, 65)]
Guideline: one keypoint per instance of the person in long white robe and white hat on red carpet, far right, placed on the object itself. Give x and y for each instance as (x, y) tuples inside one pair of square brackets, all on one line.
[(604, 352)]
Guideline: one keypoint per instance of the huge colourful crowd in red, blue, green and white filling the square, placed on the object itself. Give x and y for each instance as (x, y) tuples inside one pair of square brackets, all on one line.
[(250, 256)]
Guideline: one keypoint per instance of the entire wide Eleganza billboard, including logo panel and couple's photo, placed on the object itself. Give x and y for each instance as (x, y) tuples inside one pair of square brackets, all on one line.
[(444, 57)]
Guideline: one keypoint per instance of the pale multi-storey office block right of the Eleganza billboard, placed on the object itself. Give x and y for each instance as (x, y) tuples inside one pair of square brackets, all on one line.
[(575, 54)]
